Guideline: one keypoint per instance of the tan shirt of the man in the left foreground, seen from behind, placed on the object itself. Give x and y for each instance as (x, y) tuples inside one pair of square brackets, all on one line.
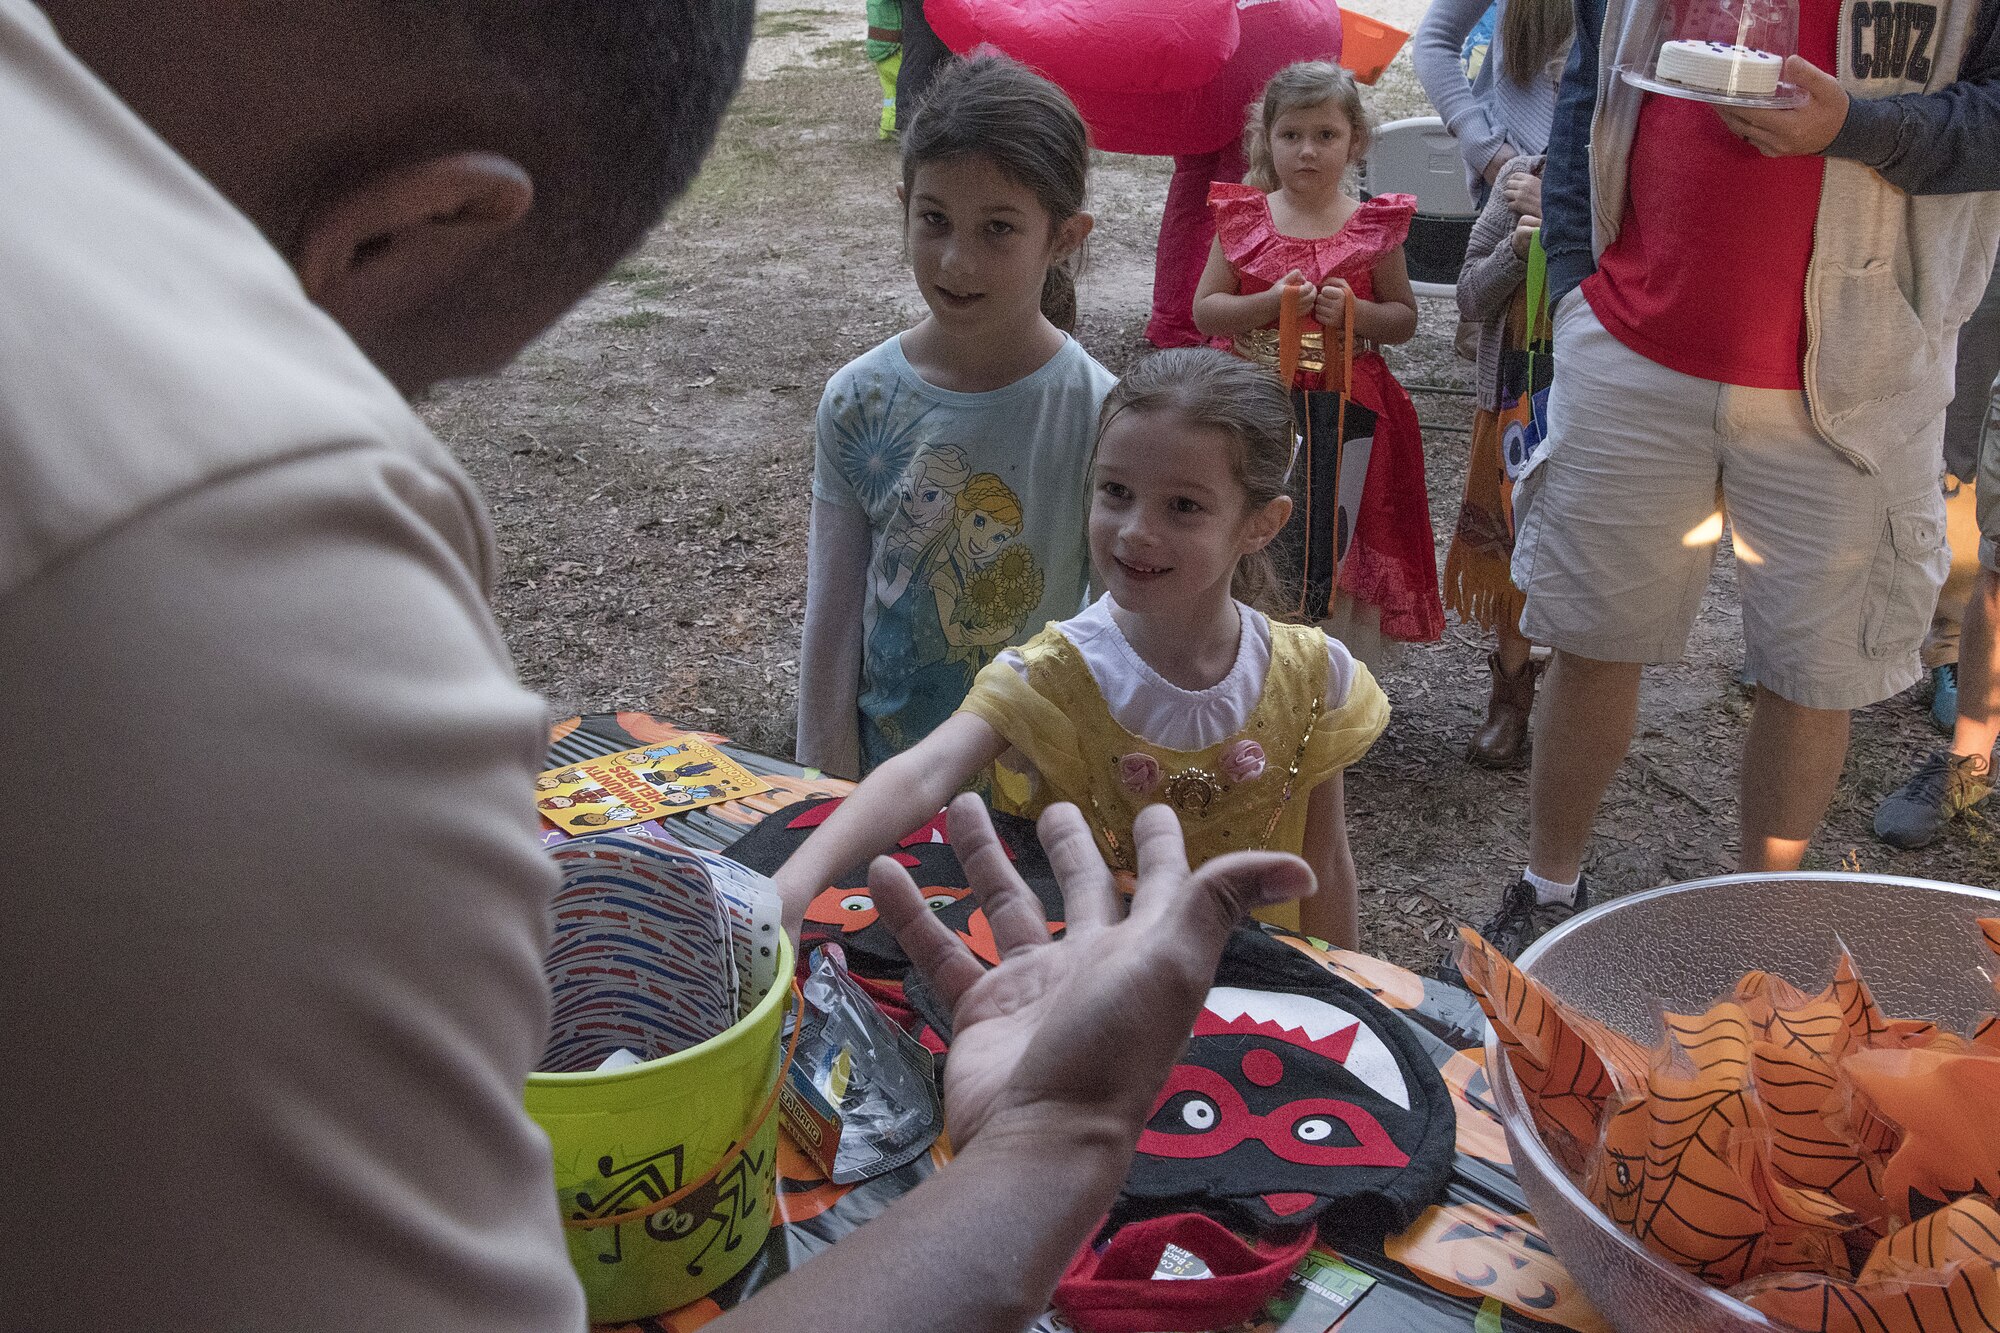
[(273, 900)]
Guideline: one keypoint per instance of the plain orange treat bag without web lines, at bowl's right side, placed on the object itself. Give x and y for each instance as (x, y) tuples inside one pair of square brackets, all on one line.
[(1945, 1108)]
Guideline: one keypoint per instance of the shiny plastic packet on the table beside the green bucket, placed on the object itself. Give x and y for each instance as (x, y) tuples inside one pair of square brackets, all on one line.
[(863, 1096)]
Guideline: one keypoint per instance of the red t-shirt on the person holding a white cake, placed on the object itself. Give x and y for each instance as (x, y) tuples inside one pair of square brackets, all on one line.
[(1709, 269)]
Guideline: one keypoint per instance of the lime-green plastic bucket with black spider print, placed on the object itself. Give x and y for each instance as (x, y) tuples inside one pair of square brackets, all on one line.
[(627, 1140)]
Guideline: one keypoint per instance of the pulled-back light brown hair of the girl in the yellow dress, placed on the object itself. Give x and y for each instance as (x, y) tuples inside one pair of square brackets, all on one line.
[(1243, 401)]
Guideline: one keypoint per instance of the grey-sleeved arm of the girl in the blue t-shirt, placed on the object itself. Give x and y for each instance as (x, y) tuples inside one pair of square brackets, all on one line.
[(831, 643)]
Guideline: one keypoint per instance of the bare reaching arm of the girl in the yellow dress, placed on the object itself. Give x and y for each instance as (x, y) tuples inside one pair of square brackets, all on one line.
[(897, 798)]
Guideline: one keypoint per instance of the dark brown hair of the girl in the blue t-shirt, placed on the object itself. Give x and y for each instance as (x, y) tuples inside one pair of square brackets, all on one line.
[(1001, 111)]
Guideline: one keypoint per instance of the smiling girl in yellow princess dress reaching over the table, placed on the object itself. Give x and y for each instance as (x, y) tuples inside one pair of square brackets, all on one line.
[(1171, 688)]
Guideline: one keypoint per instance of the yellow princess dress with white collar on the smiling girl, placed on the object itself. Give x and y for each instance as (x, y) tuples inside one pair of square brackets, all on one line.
[(1091, 724)]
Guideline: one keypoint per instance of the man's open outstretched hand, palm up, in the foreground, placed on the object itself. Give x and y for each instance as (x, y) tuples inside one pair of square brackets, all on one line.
[(1077, 1036)]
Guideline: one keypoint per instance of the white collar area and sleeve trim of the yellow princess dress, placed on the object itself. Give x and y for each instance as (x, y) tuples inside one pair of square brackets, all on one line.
[(1159, 712)]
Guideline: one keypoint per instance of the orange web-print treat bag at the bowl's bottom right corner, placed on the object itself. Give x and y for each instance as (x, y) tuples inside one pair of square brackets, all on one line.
[(1937, 1274)]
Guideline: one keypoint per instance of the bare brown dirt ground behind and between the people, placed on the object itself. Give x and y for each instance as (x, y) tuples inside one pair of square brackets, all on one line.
[(649, 467)]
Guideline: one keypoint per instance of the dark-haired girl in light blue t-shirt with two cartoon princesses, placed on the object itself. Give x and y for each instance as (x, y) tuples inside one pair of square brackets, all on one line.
[(951, 469)]
